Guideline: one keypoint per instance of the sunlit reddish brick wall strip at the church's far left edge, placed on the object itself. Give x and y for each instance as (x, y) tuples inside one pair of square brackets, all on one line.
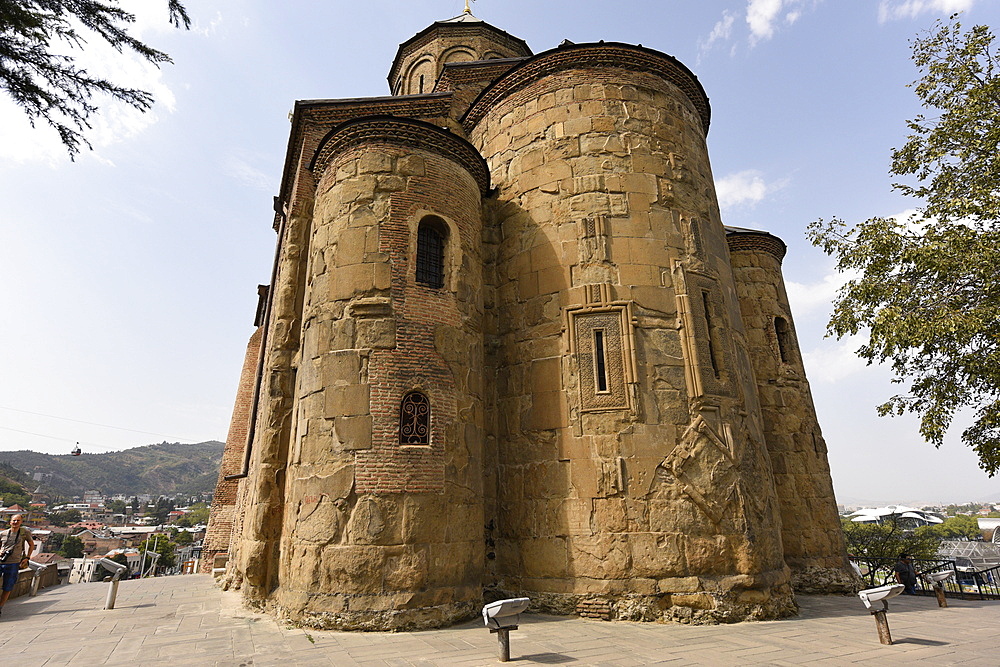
[(220, 522)]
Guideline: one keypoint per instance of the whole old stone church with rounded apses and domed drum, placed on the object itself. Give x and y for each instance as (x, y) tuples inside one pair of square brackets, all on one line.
[(509, 348)]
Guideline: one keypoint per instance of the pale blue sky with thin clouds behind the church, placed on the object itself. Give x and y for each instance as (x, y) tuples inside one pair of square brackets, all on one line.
[(130, 275)]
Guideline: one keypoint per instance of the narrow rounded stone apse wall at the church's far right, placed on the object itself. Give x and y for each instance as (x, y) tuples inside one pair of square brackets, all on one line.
[(811, 534)]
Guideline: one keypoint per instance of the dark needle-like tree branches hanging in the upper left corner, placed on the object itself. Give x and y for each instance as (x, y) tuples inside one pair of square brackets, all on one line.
[(49, 86)]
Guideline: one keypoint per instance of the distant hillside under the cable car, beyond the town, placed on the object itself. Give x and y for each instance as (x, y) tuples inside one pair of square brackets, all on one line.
[(166, 468)]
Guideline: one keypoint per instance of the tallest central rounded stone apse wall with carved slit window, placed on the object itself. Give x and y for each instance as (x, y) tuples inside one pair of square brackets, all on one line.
[(655, 493)]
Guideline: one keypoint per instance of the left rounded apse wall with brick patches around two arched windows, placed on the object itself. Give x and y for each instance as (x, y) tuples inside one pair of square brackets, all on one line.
[(378, 535)]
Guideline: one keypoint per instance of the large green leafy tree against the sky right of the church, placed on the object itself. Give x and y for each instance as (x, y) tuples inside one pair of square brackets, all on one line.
[(927, 289)]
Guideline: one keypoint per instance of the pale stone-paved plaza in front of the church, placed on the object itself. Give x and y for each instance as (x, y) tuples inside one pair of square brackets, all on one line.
[(185, 620)]
